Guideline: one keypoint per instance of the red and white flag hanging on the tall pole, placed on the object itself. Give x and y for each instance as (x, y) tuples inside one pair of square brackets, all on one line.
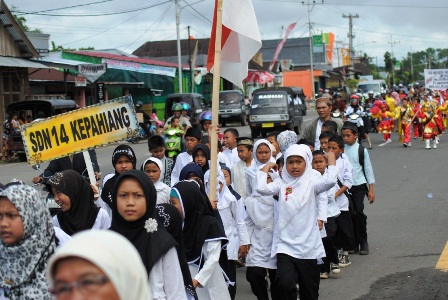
[(240, 40)]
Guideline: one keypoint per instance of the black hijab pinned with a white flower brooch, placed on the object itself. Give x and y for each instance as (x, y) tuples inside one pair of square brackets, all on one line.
[(150, 245)]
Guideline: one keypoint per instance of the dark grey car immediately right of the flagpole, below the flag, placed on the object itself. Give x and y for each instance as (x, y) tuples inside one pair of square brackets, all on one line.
[(231, 107)]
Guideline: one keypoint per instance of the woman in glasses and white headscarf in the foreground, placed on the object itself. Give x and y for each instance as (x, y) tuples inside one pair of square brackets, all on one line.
[(105, 261)]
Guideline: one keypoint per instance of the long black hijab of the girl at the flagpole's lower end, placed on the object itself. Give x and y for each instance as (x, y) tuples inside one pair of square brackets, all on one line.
[(200, 223)]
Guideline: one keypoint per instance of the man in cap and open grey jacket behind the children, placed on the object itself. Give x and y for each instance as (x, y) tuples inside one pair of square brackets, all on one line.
[(312, 130)]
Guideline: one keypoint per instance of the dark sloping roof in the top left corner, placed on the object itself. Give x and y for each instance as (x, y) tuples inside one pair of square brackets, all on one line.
[(9, 22)]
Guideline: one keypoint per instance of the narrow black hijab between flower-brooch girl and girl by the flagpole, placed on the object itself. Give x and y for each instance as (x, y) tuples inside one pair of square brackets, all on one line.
[(170, 218)]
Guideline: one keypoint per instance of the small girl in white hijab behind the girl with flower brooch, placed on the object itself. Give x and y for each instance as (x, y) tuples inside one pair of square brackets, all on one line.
[(153, 167)]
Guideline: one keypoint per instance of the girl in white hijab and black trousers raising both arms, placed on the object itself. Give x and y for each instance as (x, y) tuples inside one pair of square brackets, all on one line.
[(297, 239)]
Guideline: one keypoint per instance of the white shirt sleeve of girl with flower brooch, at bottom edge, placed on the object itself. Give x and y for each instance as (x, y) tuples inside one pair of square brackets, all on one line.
[(161, 278)]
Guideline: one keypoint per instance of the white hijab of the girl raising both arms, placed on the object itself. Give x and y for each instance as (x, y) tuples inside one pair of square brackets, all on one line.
[(301, 187)]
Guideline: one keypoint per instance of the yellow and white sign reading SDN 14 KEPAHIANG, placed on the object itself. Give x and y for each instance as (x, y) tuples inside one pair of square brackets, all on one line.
[(79, 130)]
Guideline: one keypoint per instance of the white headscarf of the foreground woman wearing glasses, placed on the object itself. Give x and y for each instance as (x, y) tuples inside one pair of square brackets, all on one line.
[(114, 255)]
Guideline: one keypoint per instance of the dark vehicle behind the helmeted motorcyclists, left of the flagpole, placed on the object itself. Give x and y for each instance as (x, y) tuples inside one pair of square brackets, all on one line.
[(196, 101)]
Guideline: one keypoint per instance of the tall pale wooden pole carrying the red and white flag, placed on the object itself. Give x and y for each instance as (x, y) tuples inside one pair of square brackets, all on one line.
[(215, 102)]
